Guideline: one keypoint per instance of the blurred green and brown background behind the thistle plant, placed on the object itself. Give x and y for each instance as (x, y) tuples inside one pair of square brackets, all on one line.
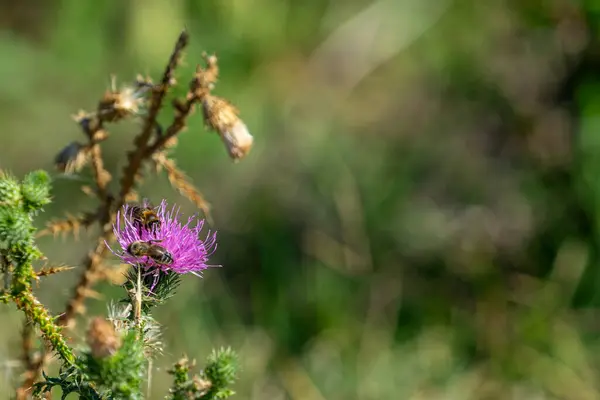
[(418, 219)]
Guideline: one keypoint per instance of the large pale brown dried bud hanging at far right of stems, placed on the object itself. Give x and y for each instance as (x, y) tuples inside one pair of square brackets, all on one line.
[(222, 117)]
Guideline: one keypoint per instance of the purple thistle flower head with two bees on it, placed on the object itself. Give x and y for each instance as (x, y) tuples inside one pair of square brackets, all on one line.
[(188, 251)]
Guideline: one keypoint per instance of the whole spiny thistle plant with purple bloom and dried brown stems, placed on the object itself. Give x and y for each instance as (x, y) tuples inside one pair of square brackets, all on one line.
[(159, 246)]
